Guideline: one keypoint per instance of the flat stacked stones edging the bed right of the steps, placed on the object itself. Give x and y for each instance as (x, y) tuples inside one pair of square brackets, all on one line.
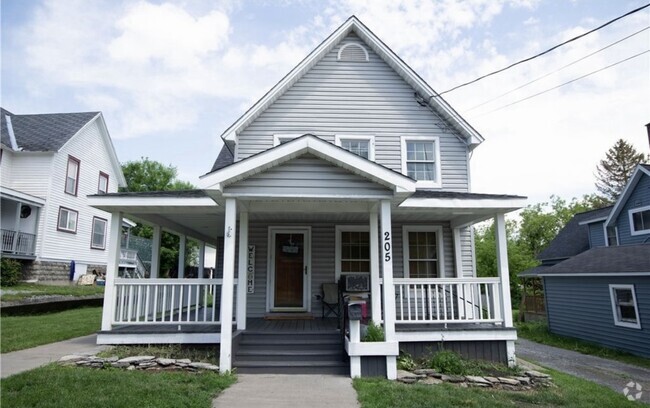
[(526, 382)]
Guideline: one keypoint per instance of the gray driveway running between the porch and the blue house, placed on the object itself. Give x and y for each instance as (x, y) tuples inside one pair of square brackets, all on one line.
[(609, 373)]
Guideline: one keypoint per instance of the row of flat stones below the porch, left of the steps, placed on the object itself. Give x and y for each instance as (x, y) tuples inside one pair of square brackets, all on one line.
[(150, 363)]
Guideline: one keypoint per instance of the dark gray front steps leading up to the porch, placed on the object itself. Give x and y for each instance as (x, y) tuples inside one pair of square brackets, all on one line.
[(318, 352)]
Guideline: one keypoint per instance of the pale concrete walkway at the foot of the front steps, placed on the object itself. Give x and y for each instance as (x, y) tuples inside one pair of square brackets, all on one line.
[(275, 390)]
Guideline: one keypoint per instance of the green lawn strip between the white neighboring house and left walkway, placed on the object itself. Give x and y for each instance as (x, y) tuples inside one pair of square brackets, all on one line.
[(21, 332)]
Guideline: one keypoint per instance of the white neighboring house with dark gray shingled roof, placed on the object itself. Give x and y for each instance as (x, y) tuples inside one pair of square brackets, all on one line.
[(49, 163)]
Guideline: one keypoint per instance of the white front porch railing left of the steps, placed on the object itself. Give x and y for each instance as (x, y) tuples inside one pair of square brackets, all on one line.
[(167, 301)]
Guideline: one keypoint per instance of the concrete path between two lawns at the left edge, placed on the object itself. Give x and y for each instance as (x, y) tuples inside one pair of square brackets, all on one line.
[(28, 359)]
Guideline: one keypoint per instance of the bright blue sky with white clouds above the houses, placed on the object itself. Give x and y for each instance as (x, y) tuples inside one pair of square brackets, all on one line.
[(170, 76)]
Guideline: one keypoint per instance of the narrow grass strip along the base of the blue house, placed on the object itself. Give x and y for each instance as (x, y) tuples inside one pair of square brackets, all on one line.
[(538, 332)]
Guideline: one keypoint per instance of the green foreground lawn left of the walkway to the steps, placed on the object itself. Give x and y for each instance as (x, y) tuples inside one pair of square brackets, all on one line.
[(61, 387)]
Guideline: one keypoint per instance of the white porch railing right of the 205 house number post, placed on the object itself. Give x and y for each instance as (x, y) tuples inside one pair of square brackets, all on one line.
[(456, 300)]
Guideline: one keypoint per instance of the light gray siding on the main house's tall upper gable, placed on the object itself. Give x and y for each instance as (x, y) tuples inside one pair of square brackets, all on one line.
[(356, 98)]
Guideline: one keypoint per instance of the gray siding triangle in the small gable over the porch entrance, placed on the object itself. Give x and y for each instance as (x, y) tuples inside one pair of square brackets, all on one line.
[(308, 175)]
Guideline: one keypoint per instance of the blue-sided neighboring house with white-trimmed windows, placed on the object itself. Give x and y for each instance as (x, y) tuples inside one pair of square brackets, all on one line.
[(596, 273)]
